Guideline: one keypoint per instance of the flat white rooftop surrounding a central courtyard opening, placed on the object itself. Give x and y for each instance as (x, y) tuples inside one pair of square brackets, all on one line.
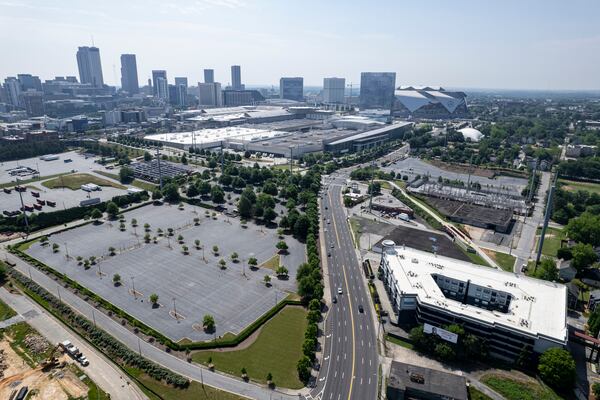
[(536, 307)]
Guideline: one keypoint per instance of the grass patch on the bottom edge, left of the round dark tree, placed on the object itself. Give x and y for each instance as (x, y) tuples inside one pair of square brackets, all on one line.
[(513, 389)]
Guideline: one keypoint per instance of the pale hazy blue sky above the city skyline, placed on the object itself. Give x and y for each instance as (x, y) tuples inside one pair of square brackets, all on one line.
[(511, 44)]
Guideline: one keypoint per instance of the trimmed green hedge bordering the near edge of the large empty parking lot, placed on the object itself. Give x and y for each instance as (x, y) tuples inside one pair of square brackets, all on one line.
[(145, 329)]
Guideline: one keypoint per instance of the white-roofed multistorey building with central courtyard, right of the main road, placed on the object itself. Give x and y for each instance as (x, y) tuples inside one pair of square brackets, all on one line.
[(515, 314)]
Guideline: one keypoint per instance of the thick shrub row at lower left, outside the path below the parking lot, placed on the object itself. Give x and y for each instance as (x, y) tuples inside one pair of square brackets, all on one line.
[(114, 349)]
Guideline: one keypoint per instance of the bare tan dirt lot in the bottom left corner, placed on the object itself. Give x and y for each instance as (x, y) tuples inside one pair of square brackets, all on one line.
[(54, 384)]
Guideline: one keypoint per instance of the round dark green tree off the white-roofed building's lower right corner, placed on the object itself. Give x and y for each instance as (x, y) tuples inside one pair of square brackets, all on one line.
[(557, 369)]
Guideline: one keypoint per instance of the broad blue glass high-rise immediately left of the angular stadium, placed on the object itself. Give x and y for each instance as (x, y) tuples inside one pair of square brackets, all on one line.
[(377, 89)]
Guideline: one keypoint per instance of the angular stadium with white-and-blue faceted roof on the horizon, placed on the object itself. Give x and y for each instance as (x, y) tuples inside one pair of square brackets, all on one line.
[(429, 103)]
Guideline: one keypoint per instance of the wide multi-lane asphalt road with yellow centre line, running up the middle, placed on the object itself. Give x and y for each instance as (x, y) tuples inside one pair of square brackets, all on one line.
[(349, 368)]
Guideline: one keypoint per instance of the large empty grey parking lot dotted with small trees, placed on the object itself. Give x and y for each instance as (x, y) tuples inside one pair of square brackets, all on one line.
[(193, 284)]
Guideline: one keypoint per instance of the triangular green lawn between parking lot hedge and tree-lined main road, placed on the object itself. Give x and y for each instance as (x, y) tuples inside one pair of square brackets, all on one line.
[(276, 350)]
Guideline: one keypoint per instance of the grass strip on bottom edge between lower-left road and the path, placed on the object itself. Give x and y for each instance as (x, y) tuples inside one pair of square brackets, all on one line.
[(196, 391)]
